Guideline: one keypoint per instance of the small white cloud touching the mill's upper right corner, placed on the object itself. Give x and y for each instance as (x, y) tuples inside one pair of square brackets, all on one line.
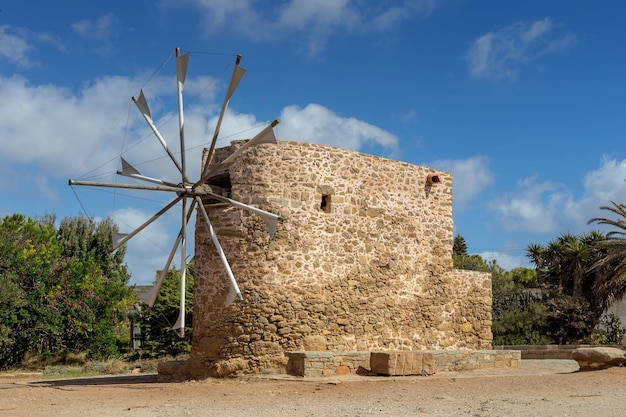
[(470, 177)]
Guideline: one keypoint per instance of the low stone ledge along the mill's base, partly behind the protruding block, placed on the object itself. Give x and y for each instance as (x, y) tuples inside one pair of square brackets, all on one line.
[(315, 364)]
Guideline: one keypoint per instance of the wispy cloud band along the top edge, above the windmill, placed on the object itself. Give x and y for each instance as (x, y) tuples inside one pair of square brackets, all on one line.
[(318, 20)]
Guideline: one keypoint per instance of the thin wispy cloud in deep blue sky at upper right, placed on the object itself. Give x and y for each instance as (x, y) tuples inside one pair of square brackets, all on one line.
[(502, 54)]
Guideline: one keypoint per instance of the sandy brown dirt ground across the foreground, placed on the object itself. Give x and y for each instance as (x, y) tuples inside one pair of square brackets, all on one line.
[(540, 388)]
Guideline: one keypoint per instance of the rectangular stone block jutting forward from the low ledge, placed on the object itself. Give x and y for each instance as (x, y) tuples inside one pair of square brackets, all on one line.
[(402, 363)]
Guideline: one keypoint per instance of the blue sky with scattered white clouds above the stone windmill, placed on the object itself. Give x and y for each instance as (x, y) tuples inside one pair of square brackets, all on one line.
[(524, 102)]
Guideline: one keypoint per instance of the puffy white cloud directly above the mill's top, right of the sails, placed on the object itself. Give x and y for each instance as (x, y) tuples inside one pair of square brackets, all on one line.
[(318, 124)]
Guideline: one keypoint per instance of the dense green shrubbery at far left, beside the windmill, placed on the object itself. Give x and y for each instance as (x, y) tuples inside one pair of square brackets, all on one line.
[(57, 300)]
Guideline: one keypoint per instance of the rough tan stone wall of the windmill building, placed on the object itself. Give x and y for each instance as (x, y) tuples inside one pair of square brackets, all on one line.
[(361, 262)]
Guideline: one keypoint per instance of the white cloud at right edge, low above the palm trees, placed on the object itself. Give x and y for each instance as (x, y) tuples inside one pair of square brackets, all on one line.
[(546, 207)]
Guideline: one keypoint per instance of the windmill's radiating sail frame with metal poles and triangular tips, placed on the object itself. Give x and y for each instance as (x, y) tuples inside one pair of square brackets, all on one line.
[(188, 190)]
